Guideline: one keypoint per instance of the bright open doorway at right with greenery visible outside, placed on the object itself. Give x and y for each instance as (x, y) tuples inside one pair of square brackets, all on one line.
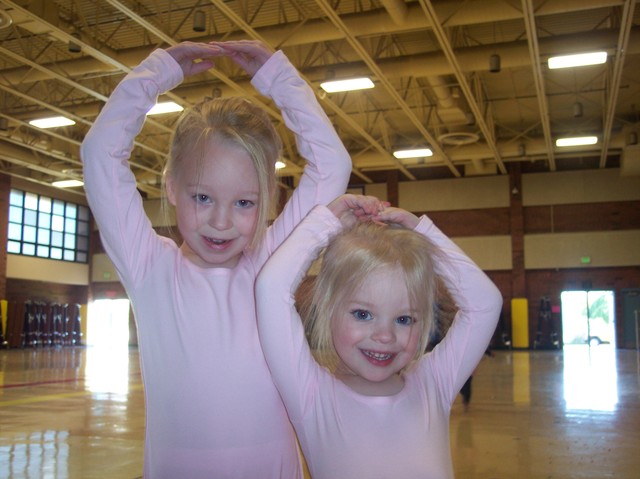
[(588, 318)]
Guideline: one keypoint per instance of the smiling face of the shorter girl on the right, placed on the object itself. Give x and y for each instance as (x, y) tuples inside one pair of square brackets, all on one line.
[(376, 334)]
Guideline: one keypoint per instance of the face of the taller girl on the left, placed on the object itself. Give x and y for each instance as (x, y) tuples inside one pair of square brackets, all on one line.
[(216, 205)]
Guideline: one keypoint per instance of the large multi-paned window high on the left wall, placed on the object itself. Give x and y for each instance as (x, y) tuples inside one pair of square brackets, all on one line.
[(47, 228)]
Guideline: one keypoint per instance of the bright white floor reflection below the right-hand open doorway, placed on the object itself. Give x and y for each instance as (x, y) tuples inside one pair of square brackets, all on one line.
[(590, 378)]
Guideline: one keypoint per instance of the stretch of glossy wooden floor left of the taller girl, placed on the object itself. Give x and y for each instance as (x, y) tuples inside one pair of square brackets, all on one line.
[(71, 413)]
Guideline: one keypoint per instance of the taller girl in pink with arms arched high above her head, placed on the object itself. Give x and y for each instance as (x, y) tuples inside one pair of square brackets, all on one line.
[(212, 409)]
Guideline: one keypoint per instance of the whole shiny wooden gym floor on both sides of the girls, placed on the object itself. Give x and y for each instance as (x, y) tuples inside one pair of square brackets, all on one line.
[(79, 413)]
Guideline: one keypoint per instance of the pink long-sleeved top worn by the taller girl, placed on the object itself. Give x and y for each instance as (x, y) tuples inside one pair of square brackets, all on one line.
[(212, 410)]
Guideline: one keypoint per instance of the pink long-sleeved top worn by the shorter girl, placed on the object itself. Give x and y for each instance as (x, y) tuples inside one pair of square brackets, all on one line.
[(343, 434)]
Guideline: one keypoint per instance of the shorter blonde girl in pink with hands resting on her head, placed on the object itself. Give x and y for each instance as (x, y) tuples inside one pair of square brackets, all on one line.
[(363, 397)]
